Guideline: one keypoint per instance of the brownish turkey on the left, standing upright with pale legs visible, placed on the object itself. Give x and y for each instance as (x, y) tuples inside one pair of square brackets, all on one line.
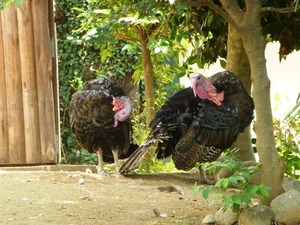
[(99, 118)]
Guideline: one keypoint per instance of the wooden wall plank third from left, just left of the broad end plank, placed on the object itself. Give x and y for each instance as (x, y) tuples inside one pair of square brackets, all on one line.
[(29, 85)]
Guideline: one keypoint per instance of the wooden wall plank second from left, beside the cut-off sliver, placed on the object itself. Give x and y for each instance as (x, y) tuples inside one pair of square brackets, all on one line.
[(15, 123)]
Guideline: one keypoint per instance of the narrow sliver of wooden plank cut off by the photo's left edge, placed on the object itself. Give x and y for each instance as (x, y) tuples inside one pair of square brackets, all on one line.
[(4, 156)]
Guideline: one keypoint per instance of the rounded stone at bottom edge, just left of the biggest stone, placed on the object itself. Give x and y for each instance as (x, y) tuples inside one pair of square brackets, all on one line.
[(258, 215)]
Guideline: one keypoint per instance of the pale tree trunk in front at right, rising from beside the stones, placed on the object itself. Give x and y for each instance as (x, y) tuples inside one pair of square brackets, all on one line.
[(254, 45)]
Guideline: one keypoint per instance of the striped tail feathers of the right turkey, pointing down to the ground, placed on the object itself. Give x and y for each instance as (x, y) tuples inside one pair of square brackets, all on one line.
[(133, 161)]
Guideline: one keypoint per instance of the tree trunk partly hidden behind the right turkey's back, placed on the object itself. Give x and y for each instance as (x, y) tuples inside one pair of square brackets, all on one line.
[(238, 63)]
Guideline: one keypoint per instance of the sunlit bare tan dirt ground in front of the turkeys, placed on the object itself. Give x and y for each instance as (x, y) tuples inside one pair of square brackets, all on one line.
[(58, 197)]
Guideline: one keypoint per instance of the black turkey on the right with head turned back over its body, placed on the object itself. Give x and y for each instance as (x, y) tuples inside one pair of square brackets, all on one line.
[(198, 123)]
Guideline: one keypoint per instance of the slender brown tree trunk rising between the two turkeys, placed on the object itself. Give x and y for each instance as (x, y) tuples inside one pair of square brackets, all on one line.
[(148, 74)]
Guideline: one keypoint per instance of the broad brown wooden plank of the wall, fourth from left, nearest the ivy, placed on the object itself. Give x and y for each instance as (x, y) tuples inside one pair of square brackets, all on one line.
[(43, 62)]
